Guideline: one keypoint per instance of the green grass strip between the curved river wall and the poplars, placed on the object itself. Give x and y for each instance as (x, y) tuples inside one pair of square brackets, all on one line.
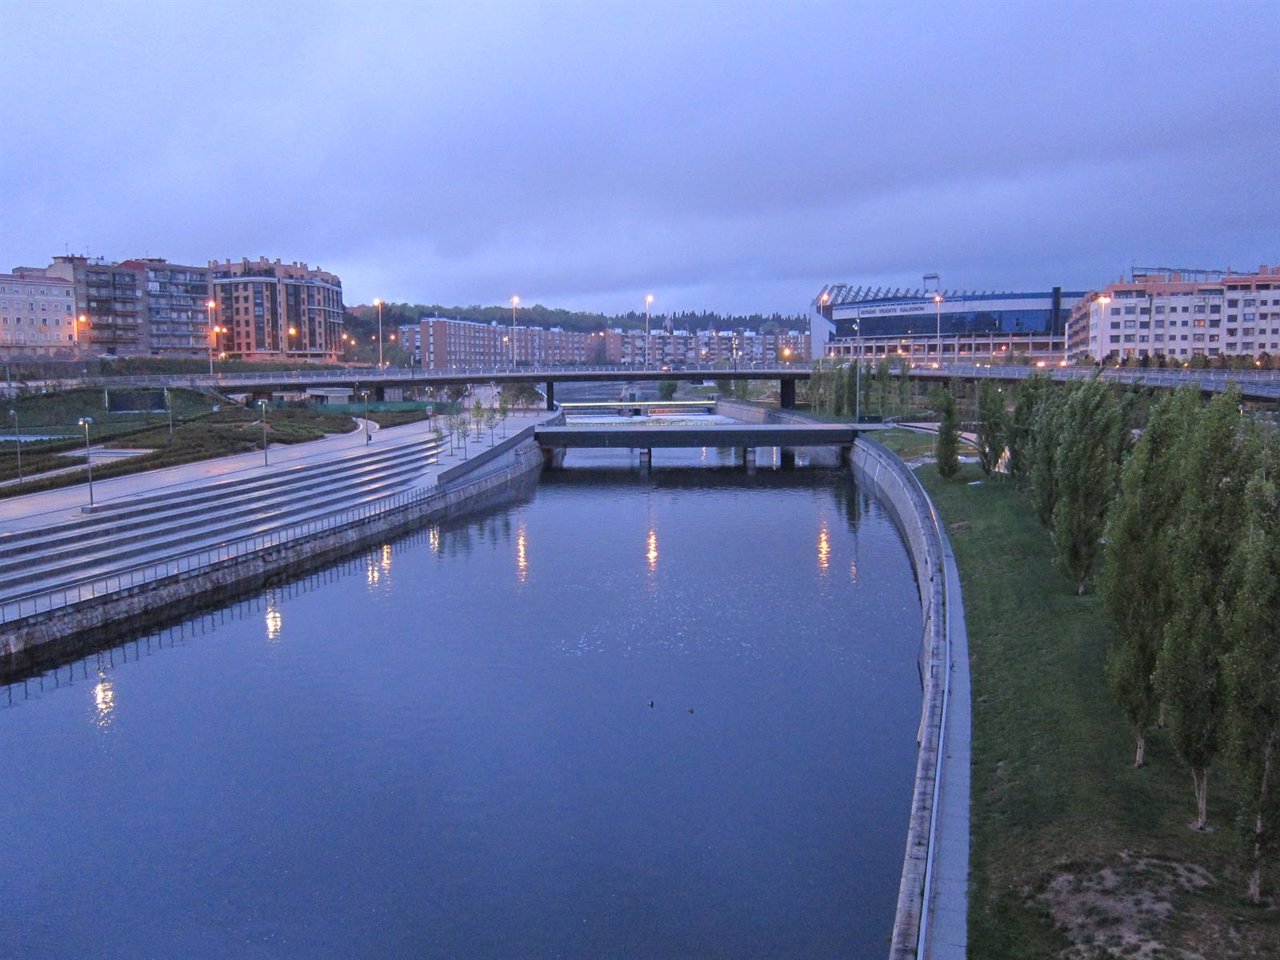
[(1057, 802)]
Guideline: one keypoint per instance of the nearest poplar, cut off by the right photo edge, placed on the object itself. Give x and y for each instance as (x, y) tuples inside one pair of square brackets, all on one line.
[(1252, 674)]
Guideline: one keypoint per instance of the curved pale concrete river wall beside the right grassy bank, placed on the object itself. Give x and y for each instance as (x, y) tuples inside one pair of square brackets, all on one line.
[(932, 903)]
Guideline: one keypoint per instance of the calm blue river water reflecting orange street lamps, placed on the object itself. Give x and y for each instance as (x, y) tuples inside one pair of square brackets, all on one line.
[(447, 749)]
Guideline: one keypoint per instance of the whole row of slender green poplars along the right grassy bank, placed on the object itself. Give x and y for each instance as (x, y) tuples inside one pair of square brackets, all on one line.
[(1181, 532)]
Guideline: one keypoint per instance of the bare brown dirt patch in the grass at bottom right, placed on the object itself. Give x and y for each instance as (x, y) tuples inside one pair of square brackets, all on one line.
[(1123, 909)]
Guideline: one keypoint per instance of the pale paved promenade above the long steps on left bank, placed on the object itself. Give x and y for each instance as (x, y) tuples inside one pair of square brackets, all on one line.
[(39, 510)]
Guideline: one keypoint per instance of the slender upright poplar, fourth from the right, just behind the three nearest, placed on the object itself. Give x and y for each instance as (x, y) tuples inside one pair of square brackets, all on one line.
[(1086, 481)]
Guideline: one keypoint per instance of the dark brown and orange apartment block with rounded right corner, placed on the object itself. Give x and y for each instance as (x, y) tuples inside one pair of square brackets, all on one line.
[(271, 310)]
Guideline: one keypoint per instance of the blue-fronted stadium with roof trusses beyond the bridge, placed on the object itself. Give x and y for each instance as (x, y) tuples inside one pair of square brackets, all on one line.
[(936, 326)]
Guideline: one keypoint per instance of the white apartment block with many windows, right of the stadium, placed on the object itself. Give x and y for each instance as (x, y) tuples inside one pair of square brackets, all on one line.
[(1180, 314)]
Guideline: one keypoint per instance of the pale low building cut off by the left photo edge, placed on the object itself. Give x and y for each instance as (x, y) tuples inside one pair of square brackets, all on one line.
[(38, 317)]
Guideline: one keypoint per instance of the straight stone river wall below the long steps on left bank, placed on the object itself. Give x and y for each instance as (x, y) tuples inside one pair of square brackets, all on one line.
[(502, 472)]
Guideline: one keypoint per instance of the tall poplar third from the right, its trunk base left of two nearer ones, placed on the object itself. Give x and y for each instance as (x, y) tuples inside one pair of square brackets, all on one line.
[(1137, 580)]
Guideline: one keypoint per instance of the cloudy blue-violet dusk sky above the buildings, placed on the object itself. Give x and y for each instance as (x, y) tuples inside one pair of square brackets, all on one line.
[(721, 156)]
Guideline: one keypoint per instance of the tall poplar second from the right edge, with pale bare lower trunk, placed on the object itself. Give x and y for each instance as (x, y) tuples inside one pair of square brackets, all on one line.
[(1215, 461)]
